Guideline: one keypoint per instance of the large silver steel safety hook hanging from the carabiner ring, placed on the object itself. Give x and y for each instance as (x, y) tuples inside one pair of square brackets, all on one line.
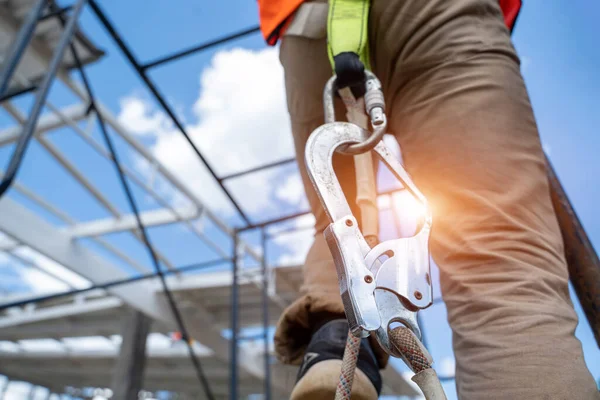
[(374, 293)]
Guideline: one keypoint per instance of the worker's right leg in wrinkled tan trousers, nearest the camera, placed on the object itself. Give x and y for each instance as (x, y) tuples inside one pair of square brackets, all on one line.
[(460, 110)]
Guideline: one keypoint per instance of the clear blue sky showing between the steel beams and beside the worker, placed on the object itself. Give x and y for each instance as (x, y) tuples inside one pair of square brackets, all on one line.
[(560, 63)]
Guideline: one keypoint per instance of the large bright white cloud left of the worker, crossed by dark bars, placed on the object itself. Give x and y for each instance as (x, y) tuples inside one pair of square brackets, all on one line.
[(240, 121)]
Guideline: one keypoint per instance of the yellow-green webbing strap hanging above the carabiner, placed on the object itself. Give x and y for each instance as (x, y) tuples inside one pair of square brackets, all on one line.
[(347, 29)]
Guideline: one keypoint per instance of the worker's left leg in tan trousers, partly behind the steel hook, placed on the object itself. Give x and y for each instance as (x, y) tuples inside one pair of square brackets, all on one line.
[(307, 70)]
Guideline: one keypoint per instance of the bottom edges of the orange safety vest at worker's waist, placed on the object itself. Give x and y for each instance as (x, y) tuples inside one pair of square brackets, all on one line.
[(275, 15)]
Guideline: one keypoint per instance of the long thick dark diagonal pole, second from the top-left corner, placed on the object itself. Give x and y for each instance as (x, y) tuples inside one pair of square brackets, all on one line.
[(42, 94)]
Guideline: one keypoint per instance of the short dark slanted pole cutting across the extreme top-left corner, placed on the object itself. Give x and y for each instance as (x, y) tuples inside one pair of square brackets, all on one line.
[(18, 46)]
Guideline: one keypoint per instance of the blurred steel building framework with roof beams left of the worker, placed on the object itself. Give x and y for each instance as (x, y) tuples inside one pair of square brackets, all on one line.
[(42, 43)]
